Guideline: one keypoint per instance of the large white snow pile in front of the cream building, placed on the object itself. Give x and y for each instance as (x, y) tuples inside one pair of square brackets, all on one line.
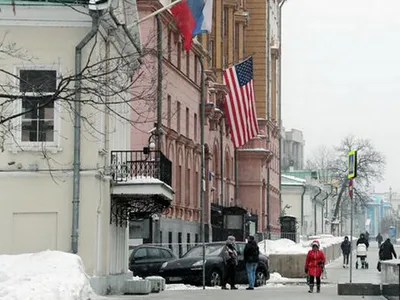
[(47, 275)]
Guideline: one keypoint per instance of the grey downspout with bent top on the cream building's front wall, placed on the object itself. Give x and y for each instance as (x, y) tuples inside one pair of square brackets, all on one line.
[(77, 130)]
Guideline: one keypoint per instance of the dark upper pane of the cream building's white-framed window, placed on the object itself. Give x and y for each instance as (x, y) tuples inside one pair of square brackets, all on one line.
[(38, 81)]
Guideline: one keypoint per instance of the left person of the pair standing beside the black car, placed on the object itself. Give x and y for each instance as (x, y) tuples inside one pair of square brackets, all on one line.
[(230, 263)]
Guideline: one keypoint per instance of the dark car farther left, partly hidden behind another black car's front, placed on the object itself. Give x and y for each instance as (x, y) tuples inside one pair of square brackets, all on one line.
[(146, 260)]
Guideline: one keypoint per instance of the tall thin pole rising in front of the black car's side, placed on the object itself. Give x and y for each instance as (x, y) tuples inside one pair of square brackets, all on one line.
[(202, 167)]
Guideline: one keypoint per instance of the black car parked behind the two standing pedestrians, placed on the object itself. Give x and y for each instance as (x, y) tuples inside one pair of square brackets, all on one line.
[(189, 268)]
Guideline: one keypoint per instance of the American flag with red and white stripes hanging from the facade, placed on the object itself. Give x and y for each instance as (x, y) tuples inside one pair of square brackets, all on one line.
[(240, 102)]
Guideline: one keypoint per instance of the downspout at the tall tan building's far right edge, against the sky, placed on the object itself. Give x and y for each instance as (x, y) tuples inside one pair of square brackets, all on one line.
[(280, 97)]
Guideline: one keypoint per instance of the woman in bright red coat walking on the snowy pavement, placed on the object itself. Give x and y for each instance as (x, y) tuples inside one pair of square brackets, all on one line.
[(314, 267)]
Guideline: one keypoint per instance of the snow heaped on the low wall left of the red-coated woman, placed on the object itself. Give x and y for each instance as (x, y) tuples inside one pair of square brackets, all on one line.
[(282, 246)]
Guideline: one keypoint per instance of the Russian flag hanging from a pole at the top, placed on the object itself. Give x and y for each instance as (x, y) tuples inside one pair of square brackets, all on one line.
[(193, 17)]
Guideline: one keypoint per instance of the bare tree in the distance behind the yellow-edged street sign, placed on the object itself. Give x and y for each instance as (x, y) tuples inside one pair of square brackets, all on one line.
[(334, 165)]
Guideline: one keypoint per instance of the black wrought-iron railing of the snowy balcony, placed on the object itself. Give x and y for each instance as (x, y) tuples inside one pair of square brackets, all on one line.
[(140, 165)]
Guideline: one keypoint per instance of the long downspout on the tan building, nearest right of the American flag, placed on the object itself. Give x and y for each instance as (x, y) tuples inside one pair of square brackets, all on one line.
[(268, 118)]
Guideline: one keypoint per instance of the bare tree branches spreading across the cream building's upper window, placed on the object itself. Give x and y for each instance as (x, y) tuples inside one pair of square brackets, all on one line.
[(119, 82)]
